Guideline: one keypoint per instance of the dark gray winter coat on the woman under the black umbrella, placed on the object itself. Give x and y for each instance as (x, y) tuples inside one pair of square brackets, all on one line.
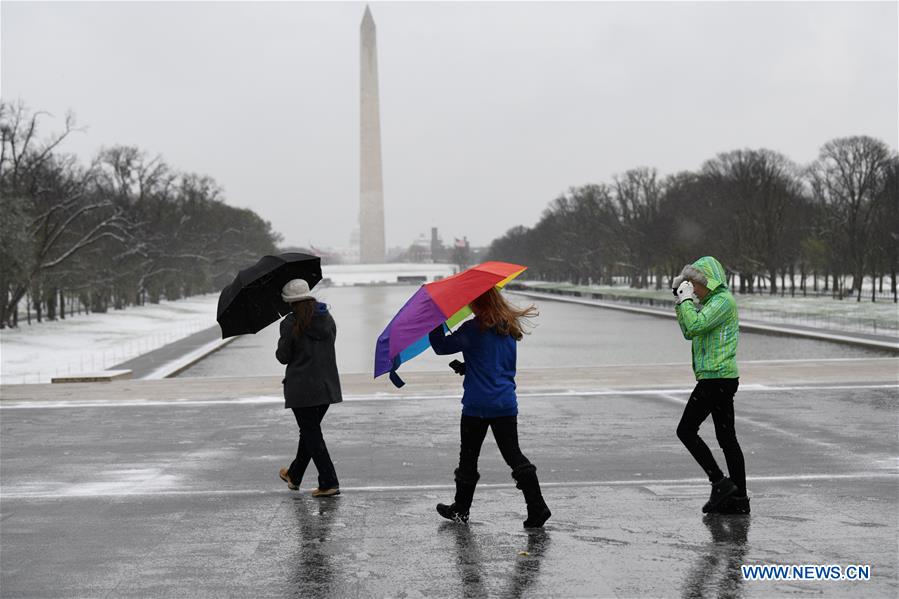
[(311, 377)]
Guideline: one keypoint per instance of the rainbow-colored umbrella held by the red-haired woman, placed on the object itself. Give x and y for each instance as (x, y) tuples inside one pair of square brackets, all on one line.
[(445, 301)]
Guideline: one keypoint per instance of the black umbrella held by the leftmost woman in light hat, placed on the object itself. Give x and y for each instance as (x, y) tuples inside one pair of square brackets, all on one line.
[(253, 300)]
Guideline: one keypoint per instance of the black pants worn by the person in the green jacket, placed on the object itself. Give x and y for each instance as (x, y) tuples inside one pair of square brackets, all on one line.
[(715, 397)]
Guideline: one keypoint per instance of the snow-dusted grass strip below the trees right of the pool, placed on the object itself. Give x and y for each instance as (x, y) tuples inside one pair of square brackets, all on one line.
[(880, 317)]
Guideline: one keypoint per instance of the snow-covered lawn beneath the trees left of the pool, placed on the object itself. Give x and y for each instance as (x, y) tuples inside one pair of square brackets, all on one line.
[(85, 343)]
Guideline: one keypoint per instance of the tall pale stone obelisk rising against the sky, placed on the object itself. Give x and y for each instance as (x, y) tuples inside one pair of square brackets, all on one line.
[(371, 196)]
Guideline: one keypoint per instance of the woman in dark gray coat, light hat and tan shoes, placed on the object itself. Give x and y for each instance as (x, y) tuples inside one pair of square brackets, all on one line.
[(311, 382)]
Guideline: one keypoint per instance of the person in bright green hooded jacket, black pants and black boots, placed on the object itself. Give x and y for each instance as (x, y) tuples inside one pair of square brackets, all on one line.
[(707, 315)]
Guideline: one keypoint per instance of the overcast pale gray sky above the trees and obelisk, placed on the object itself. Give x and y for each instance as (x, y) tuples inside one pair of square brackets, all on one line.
[(488, 111)]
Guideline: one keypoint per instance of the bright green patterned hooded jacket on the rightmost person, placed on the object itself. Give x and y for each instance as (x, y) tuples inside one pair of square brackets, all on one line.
[(713, 327)]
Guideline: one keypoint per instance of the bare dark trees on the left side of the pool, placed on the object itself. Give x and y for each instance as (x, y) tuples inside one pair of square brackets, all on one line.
[(122, 230)]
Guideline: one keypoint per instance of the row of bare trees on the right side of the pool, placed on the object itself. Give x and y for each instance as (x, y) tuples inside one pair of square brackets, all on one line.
[(766, 218)]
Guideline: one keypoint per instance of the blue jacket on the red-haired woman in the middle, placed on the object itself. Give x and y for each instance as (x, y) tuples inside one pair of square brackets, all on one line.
[(489, 382)]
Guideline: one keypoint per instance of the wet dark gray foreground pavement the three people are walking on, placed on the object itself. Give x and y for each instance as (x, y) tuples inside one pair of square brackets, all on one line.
[(182, 499)]
